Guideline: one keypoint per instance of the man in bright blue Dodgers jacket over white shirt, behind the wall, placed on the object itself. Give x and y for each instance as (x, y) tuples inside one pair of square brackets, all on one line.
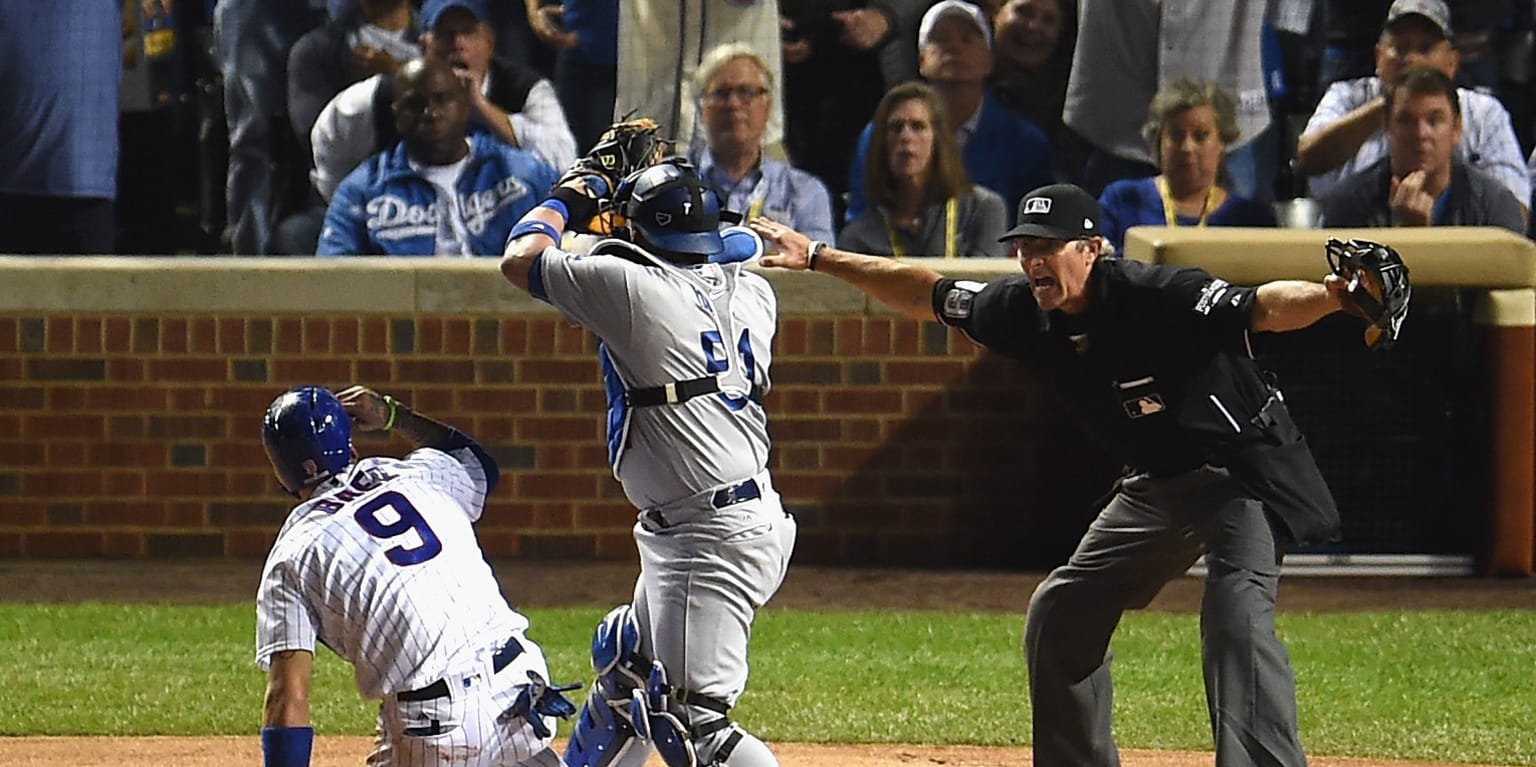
[(440, 191)]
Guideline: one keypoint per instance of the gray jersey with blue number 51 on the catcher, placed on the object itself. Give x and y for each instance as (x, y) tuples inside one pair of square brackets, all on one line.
[(663, 324)]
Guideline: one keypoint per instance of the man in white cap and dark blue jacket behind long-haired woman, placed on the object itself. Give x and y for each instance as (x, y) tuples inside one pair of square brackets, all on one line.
[(1001, 150)]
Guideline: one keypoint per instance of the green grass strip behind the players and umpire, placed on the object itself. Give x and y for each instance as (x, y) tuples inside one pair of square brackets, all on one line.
[(1440, 686)]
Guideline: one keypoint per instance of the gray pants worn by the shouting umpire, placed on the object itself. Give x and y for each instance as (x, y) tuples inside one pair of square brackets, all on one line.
[(1150, 533)]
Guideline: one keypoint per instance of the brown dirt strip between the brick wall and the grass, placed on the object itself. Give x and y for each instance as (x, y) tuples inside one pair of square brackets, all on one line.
[(577, 583)]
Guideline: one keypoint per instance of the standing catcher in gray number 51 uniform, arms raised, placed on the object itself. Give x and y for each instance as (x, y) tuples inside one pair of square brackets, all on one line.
[(687, 353)]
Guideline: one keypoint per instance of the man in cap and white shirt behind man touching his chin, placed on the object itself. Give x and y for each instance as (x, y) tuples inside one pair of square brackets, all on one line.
[(1348, 130)]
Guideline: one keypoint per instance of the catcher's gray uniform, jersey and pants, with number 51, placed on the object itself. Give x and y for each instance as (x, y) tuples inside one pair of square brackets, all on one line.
[(713, 537)]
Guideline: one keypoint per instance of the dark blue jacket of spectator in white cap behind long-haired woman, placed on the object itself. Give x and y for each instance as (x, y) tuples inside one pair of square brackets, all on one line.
[(1005, 154)]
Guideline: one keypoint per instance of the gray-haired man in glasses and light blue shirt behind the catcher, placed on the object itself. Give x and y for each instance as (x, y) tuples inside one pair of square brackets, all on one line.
[(735, 91)]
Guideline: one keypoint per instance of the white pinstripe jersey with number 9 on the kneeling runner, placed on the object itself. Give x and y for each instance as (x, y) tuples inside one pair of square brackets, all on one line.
[(383, 568)]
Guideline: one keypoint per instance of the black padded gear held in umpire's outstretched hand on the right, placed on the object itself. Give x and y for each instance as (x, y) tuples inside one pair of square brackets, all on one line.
[(1379, 285)]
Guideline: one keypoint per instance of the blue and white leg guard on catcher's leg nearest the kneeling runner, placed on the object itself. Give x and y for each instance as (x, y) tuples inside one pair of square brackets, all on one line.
[(603, 732)]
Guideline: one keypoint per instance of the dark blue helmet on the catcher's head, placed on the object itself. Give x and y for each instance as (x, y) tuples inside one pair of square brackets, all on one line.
[(672, 208)]
